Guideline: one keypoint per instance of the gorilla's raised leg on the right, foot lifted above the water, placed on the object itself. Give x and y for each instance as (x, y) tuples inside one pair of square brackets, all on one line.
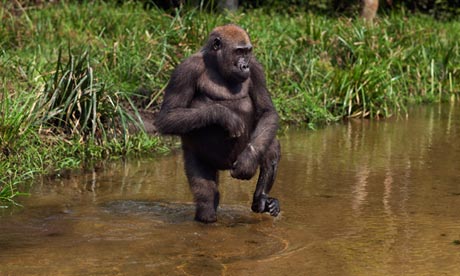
[(268, 166)]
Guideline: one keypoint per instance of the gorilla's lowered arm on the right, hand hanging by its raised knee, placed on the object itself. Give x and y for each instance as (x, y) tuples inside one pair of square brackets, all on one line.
[(265, 130)]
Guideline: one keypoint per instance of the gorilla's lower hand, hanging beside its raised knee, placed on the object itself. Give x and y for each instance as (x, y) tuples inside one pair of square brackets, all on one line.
[(246, 165)]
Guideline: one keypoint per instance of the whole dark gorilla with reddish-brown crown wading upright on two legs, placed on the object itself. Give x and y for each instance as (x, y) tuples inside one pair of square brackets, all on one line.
[(217, 101)]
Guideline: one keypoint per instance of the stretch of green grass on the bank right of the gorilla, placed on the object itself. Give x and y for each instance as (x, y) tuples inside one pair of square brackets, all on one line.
[(348, 68)]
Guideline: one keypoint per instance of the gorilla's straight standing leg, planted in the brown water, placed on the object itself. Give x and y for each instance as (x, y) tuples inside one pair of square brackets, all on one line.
[(203, 184)]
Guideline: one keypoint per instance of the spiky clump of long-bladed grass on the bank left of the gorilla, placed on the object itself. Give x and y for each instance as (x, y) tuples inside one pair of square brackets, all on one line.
[(75, 102)]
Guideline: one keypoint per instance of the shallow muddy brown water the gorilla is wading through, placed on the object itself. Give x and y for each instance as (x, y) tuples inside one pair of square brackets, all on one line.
[(363, 198)]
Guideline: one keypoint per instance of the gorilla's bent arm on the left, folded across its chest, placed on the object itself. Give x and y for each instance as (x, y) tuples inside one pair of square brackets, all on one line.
[(177, 118)]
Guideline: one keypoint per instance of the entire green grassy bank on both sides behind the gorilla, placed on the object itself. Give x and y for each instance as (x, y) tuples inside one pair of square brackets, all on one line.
[(76, 78)]
